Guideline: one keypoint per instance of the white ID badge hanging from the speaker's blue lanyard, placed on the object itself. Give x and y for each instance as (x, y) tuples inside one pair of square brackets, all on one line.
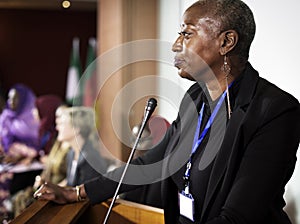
[(186, 205)]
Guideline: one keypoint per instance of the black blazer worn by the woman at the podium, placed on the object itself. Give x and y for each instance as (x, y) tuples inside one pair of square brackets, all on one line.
[(252, 162)]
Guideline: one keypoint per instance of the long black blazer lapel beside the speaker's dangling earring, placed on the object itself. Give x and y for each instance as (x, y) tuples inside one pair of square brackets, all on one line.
[(245, 94)]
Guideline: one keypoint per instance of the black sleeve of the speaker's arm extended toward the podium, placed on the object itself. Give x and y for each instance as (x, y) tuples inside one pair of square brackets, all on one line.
[(142, 170)]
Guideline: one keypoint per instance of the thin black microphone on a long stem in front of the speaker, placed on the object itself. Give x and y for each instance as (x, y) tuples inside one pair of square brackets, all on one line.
[(149, 108)]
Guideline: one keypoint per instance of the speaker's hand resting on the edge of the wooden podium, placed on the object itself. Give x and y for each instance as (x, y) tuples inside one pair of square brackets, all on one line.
[(52, 192)]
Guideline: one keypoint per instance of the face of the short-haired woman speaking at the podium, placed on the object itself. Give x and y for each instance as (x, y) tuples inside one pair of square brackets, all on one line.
[(197, 47)]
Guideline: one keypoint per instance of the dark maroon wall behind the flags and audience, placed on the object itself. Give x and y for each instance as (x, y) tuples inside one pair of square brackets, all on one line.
[(35, 46)]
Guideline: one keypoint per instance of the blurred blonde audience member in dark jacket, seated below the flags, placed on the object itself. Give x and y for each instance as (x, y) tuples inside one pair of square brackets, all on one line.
[(84, 161)]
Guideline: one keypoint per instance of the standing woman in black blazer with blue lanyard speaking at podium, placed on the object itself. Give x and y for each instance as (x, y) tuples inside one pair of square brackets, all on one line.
[(232, 149)]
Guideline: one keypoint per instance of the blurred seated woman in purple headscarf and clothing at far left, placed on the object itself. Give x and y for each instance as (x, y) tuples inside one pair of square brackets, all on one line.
[(19, 129)]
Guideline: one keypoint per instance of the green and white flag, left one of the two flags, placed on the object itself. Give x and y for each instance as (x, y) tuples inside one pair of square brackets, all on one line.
[(73, 93)]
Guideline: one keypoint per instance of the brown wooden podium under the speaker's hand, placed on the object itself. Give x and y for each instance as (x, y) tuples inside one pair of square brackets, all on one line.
[(123, 212)]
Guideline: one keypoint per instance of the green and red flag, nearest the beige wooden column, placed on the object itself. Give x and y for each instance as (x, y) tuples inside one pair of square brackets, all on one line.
[(89, 79)]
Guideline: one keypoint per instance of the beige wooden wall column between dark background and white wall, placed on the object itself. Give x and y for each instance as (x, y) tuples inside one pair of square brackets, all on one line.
[(121, 21)]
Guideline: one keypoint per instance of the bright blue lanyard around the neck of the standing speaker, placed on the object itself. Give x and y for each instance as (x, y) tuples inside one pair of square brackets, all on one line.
[(198, 139)]
